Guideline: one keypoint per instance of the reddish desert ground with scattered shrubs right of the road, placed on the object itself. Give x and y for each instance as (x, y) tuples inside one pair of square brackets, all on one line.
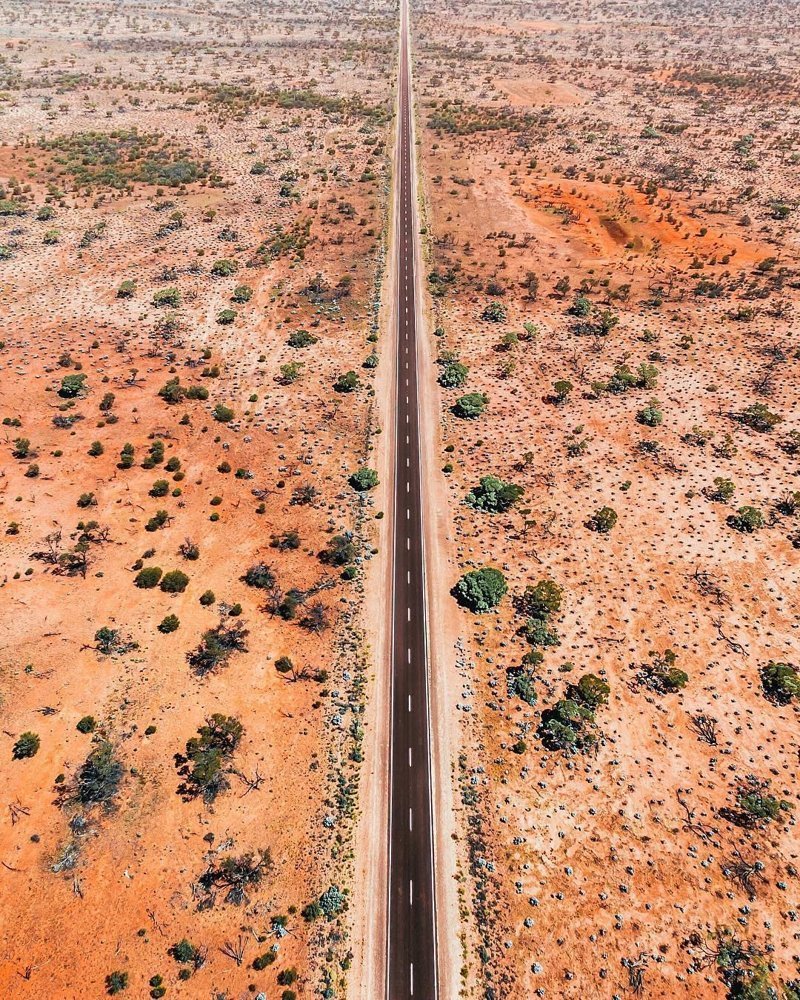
[(612, 262)]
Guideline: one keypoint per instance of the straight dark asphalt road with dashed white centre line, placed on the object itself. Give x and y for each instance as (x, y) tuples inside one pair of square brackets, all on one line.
[(411, 936)]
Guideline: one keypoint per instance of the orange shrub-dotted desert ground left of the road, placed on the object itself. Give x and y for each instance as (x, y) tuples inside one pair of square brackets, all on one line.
[(193, 214)]
